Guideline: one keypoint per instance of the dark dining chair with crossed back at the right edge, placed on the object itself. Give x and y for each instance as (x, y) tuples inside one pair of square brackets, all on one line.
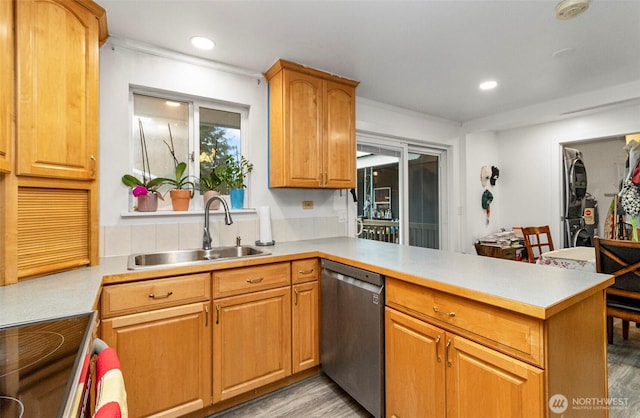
[(621, 259)]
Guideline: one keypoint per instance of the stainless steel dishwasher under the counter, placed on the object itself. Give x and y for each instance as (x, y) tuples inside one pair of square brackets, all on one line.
[(352, 332)]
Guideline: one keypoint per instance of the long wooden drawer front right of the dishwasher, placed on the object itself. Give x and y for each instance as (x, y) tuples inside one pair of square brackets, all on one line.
[(506, 331)]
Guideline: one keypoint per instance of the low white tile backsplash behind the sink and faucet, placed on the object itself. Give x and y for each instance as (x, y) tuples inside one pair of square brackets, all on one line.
[(128, 239)]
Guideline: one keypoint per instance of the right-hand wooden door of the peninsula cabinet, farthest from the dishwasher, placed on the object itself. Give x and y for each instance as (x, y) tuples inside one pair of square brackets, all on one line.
[(483, 383)]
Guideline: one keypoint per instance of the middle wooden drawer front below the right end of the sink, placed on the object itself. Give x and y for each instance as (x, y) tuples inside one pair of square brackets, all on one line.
[(249, 279)]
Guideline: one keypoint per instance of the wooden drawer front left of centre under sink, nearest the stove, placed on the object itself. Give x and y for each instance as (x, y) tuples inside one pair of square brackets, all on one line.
[(154, 294)]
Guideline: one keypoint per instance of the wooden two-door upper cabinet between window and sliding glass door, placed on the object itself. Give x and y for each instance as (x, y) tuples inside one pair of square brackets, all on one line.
[(312, 140)]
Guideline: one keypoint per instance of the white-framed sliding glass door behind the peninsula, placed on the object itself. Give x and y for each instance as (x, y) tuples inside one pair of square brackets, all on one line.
[(399, 192)]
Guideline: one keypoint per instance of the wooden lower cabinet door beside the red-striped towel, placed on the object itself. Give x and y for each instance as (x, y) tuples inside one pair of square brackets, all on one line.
[(165, 357)]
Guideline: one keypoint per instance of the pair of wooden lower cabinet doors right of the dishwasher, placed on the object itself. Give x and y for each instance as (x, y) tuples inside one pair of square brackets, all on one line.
[(434, 373)]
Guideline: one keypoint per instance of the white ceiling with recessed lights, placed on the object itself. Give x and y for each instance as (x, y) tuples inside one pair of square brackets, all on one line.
[(424, 55)]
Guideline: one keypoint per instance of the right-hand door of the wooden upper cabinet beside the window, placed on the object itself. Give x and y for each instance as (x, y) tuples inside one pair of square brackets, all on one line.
[(339, 145)]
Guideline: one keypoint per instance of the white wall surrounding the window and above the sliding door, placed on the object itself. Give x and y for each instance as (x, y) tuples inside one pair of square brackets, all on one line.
[(124, 64)]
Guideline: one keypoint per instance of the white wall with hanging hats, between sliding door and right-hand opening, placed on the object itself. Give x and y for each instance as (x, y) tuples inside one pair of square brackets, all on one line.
[(531, 170)]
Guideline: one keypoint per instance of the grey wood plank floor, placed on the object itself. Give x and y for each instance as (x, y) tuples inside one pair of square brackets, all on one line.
[(319, 397)]
